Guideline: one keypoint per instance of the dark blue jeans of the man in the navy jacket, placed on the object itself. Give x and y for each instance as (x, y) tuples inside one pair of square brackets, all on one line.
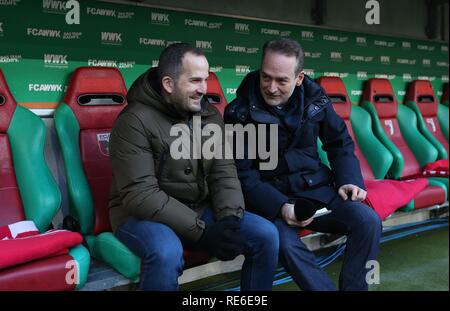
[(358, 222)]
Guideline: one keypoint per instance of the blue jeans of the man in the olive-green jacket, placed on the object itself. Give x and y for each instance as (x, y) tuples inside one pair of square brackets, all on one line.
[(161, 251)]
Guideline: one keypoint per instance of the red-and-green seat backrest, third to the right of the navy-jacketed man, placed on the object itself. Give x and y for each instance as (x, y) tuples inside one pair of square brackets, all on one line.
[(421, 98)]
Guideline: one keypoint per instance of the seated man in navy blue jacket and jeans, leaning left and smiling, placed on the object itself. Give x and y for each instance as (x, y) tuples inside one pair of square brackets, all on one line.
[(280, 93)]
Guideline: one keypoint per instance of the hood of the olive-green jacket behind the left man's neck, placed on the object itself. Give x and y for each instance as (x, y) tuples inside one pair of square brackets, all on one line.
[(146, 90)]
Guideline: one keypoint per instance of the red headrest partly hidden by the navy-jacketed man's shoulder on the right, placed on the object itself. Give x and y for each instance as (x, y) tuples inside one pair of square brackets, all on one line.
[(334, 87)]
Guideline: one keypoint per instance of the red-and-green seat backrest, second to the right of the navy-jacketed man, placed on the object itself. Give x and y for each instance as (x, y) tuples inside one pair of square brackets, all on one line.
[(379, 99)]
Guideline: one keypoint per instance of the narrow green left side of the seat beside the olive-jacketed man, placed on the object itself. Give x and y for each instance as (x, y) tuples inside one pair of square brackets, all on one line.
[(81, 205)]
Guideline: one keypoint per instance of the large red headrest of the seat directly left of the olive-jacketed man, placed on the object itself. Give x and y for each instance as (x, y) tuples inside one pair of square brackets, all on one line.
[(96, 96)]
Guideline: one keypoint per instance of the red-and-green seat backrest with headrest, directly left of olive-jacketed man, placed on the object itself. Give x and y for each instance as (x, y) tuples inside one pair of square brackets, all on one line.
[(94, 98)]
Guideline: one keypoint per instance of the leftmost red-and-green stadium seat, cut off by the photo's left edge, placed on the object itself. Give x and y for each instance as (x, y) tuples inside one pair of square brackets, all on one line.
[(29, 192)]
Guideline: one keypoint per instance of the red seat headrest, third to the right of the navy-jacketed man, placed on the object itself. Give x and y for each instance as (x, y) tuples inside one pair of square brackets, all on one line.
[(421, 92)]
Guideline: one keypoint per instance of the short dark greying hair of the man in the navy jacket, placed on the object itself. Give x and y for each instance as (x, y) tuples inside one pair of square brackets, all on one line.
[(287, 47)]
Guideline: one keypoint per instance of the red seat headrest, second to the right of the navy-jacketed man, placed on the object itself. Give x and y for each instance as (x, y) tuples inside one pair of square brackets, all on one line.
[(379, 92)]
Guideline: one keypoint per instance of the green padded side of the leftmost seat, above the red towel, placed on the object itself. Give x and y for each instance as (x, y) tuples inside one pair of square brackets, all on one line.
[(40, 194)]
